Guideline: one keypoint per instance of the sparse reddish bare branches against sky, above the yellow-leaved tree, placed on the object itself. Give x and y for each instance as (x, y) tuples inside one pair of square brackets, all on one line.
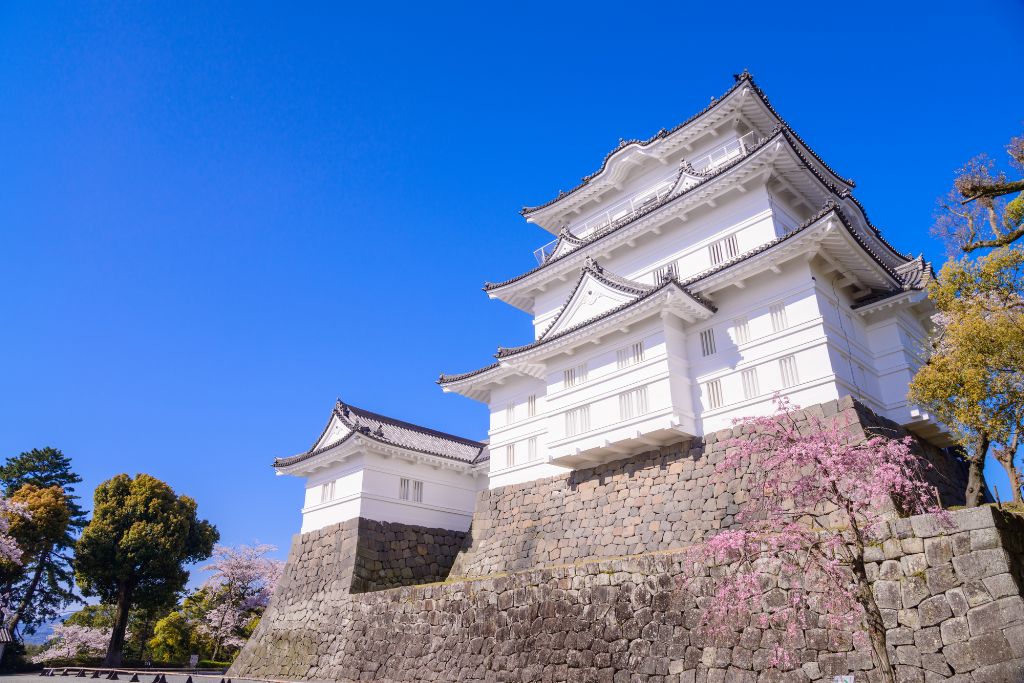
[(986, 208)]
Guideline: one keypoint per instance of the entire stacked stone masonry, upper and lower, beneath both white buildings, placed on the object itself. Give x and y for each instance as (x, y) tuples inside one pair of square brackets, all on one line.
[(544, 593)]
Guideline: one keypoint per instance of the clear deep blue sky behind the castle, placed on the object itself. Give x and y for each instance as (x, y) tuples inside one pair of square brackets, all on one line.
[(216, 221)]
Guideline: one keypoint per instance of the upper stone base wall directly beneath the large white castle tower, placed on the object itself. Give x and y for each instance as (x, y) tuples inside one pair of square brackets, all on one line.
[(657, 501)]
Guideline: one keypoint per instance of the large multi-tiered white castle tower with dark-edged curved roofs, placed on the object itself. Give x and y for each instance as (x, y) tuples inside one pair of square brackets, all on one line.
[(692, 278)]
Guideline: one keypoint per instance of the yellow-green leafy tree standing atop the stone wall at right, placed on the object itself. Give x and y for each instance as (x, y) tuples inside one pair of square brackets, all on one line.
[(974, 380)]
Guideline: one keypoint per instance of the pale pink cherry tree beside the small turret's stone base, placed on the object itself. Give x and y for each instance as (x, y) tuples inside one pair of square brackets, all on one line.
[(243, 581)]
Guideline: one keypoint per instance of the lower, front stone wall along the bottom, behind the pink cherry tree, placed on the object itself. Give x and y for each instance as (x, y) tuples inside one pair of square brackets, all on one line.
[(951, 600)]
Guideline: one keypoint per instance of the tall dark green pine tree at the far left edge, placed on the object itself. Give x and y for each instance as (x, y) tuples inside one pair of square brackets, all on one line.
[(46, 586)]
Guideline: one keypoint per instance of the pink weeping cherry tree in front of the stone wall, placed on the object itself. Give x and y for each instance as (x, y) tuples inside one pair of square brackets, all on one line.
[(813, 496)]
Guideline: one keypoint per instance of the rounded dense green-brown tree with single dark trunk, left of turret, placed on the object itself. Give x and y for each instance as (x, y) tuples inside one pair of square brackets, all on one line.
[(134, 551)]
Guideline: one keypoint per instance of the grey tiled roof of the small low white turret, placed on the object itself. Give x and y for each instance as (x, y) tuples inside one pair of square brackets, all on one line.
[(394, 433)]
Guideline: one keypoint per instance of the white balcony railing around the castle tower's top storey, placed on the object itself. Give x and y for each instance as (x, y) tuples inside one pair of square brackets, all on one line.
[(628, 209)]
